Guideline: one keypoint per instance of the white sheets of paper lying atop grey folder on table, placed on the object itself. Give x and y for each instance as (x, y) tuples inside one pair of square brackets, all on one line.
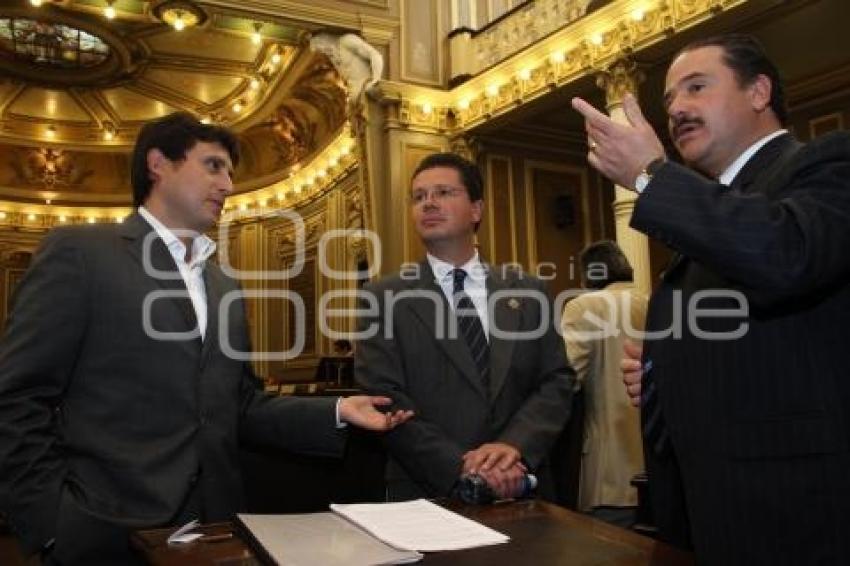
[(419, 525)]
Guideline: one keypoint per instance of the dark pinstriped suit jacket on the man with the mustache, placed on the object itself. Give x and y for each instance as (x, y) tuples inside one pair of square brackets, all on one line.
[(760, 424)]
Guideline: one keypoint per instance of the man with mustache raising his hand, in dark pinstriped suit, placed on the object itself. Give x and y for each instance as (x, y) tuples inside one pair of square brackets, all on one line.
[(746, 410)]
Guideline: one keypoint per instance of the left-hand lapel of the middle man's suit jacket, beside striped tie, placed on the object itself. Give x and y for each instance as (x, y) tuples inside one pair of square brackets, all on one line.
[(438, 318)]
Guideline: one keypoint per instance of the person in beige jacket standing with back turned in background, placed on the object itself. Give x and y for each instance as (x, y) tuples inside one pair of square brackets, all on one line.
[(595, 326)]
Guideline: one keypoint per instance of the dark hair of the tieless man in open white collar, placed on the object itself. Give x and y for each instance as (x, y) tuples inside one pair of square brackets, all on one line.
[(174, 135)]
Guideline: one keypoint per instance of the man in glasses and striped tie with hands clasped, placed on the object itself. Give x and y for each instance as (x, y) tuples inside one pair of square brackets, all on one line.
[(472, 348)]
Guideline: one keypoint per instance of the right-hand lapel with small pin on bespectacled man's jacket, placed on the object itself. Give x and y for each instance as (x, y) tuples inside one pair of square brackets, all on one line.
[(507, 314)]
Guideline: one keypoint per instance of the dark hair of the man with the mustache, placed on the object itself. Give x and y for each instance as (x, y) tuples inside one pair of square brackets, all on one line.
[(746, 57)]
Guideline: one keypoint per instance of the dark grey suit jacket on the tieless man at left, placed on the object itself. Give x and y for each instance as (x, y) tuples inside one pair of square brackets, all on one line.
[(100, 421)]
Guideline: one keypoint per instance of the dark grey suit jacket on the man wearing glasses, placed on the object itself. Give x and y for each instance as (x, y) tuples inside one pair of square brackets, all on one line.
[(435, 375)]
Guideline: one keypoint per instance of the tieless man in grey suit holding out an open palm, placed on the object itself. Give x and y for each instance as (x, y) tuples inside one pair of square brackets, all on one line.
[(120, 407)]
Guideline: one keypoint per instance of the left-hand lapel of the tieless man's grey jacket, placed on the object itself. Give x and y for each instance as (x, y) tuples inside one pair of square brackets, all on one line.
[(158, 264)]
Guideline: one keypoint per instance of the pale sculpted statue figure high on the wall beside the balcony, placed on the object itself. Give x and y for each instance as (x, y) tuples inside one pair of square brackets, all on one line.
[(360, 64)]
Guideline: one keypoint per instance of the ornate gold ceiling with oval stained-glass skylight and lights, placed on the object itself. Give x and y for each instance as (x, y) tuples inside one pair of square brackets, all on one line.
[(75, 87)]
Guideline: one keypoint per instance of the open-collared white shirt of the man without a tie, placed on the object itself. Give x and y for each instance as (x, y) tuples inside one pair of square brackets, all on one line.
[(193, 271)]
